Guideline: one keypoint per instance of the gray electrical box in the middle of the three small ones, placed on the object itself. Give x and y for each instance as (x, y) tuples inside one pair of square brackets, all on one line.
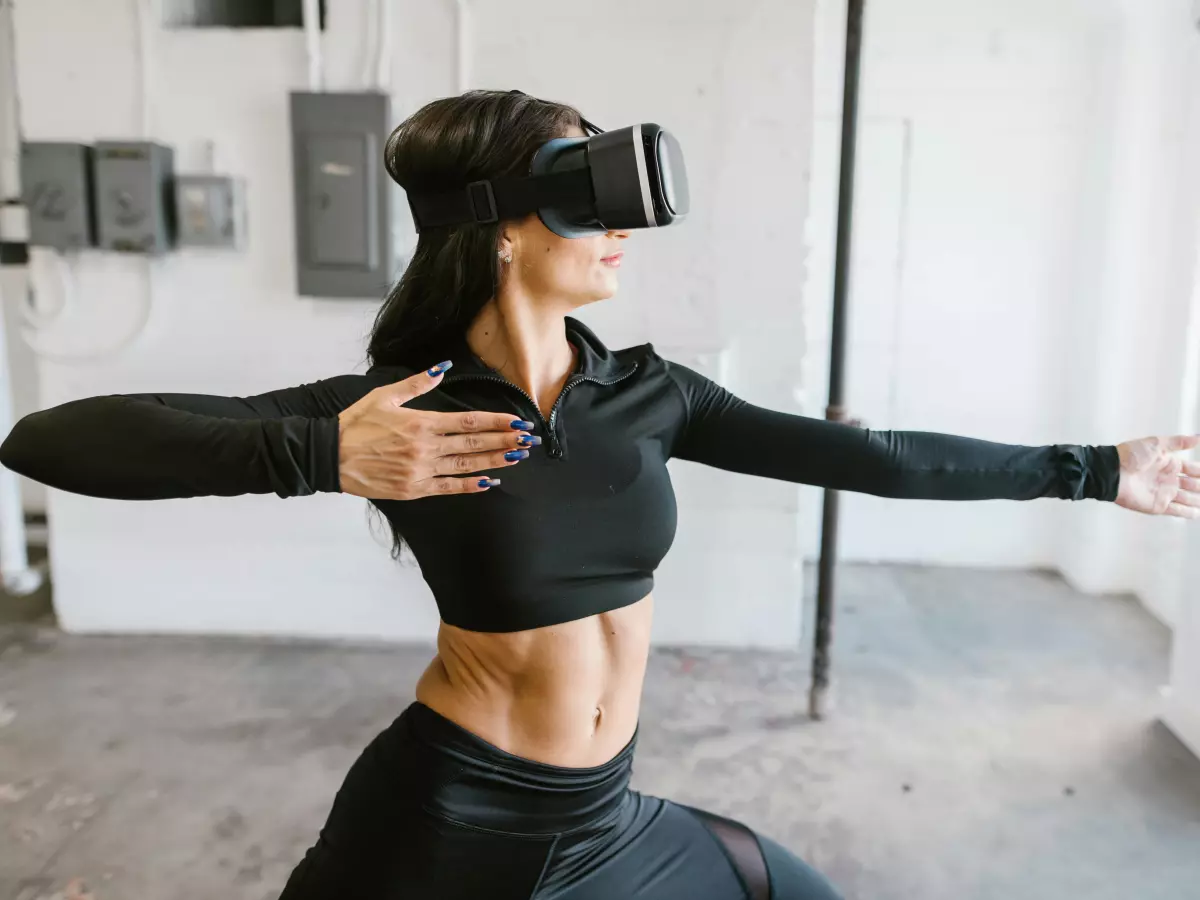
[(135, 197)]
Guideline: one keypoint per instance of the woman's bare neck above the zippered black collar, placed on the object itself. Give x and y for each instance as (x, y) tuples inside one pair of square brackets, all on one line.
[(527, 344)]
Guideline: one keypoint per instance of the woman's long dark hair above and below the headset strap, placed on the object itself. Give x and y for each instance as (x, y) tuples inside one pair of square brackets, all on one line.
[(454, 272)]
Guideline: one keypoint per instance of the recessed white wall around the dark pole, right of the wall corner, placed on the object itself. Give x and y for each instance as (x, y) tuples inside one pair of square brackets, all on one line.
[(1025, 244)]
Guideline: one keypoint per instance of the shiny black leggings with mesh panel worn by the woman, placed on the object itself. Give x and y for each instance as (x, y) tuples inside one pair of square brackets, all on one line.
[(431, 811)]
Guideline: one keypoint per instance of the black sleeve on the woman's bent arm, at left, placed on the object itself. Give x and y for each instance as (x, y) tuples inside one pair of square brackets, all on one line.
[(167, 446)]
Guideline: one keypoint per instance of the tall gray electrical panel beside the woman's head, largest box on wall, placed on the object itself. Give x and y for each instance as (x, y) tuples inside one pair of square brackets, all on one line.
[(343, 194)]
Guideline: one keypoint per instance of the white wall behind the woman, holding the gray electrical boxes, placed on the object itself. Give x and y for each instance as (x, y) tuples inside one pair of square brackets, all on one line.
[(725, 285)]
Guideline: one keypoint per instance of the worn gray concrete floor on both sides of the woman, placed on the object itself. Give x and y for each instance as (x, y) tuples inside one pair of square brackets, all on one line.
[(994, 740)]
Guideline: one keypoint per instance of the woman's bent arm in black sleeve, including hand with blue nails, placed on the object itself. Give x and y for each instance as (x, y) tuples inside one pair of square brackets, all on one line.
[(351, 434)]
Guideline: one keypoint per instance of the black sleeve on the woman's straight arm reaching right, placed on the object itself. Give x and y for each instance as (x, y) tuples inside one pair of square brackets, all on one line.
[(724, 431)]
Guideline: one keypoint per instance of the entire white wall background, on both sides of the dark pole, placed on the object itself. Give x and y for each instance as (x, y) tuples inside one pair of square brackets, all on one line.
[(1025, 237)]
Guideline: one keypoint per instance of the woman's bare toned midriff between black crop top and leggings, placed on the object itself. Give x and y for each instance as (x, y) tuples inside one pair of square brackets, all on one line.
[(566, 695)]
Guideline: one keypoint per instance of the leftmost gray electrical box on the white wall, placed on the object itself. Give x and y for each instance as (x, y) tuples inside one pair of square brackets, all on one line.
[(57, 190)]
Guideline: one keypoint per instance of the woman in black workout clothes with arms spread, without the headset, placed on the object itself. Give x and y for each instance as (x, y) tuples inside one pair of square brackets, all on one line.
[(508, 778)]
